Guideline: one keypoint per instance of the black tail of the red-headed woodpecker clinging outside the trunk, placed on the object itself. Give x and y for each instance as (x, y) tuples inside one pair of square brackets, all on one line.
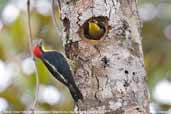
[(75, 92)]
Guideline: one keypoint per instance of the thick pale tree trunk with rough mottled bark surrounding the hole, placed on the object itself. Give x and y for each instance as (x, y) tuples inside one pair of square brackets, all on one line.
[(110, 74)]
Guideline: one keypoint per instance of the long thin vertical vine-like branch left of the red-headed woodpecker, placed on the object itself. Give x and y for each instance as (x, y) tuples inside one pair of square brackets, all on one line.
[(30, 48)]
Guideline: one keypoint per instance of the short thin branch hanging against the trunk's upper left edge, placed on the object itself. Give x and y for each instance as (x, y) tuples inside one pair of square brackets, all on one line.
[(54, 18)]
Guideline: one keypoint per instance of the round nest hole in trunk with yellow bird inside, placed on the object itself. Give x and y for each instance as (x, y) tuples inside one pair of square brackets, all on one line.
[(93, 30)]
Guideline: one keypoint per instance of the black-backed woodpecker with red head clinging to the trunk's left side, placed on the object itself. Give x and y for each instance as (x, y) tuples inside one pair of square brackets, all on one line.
[(59, 68)]
